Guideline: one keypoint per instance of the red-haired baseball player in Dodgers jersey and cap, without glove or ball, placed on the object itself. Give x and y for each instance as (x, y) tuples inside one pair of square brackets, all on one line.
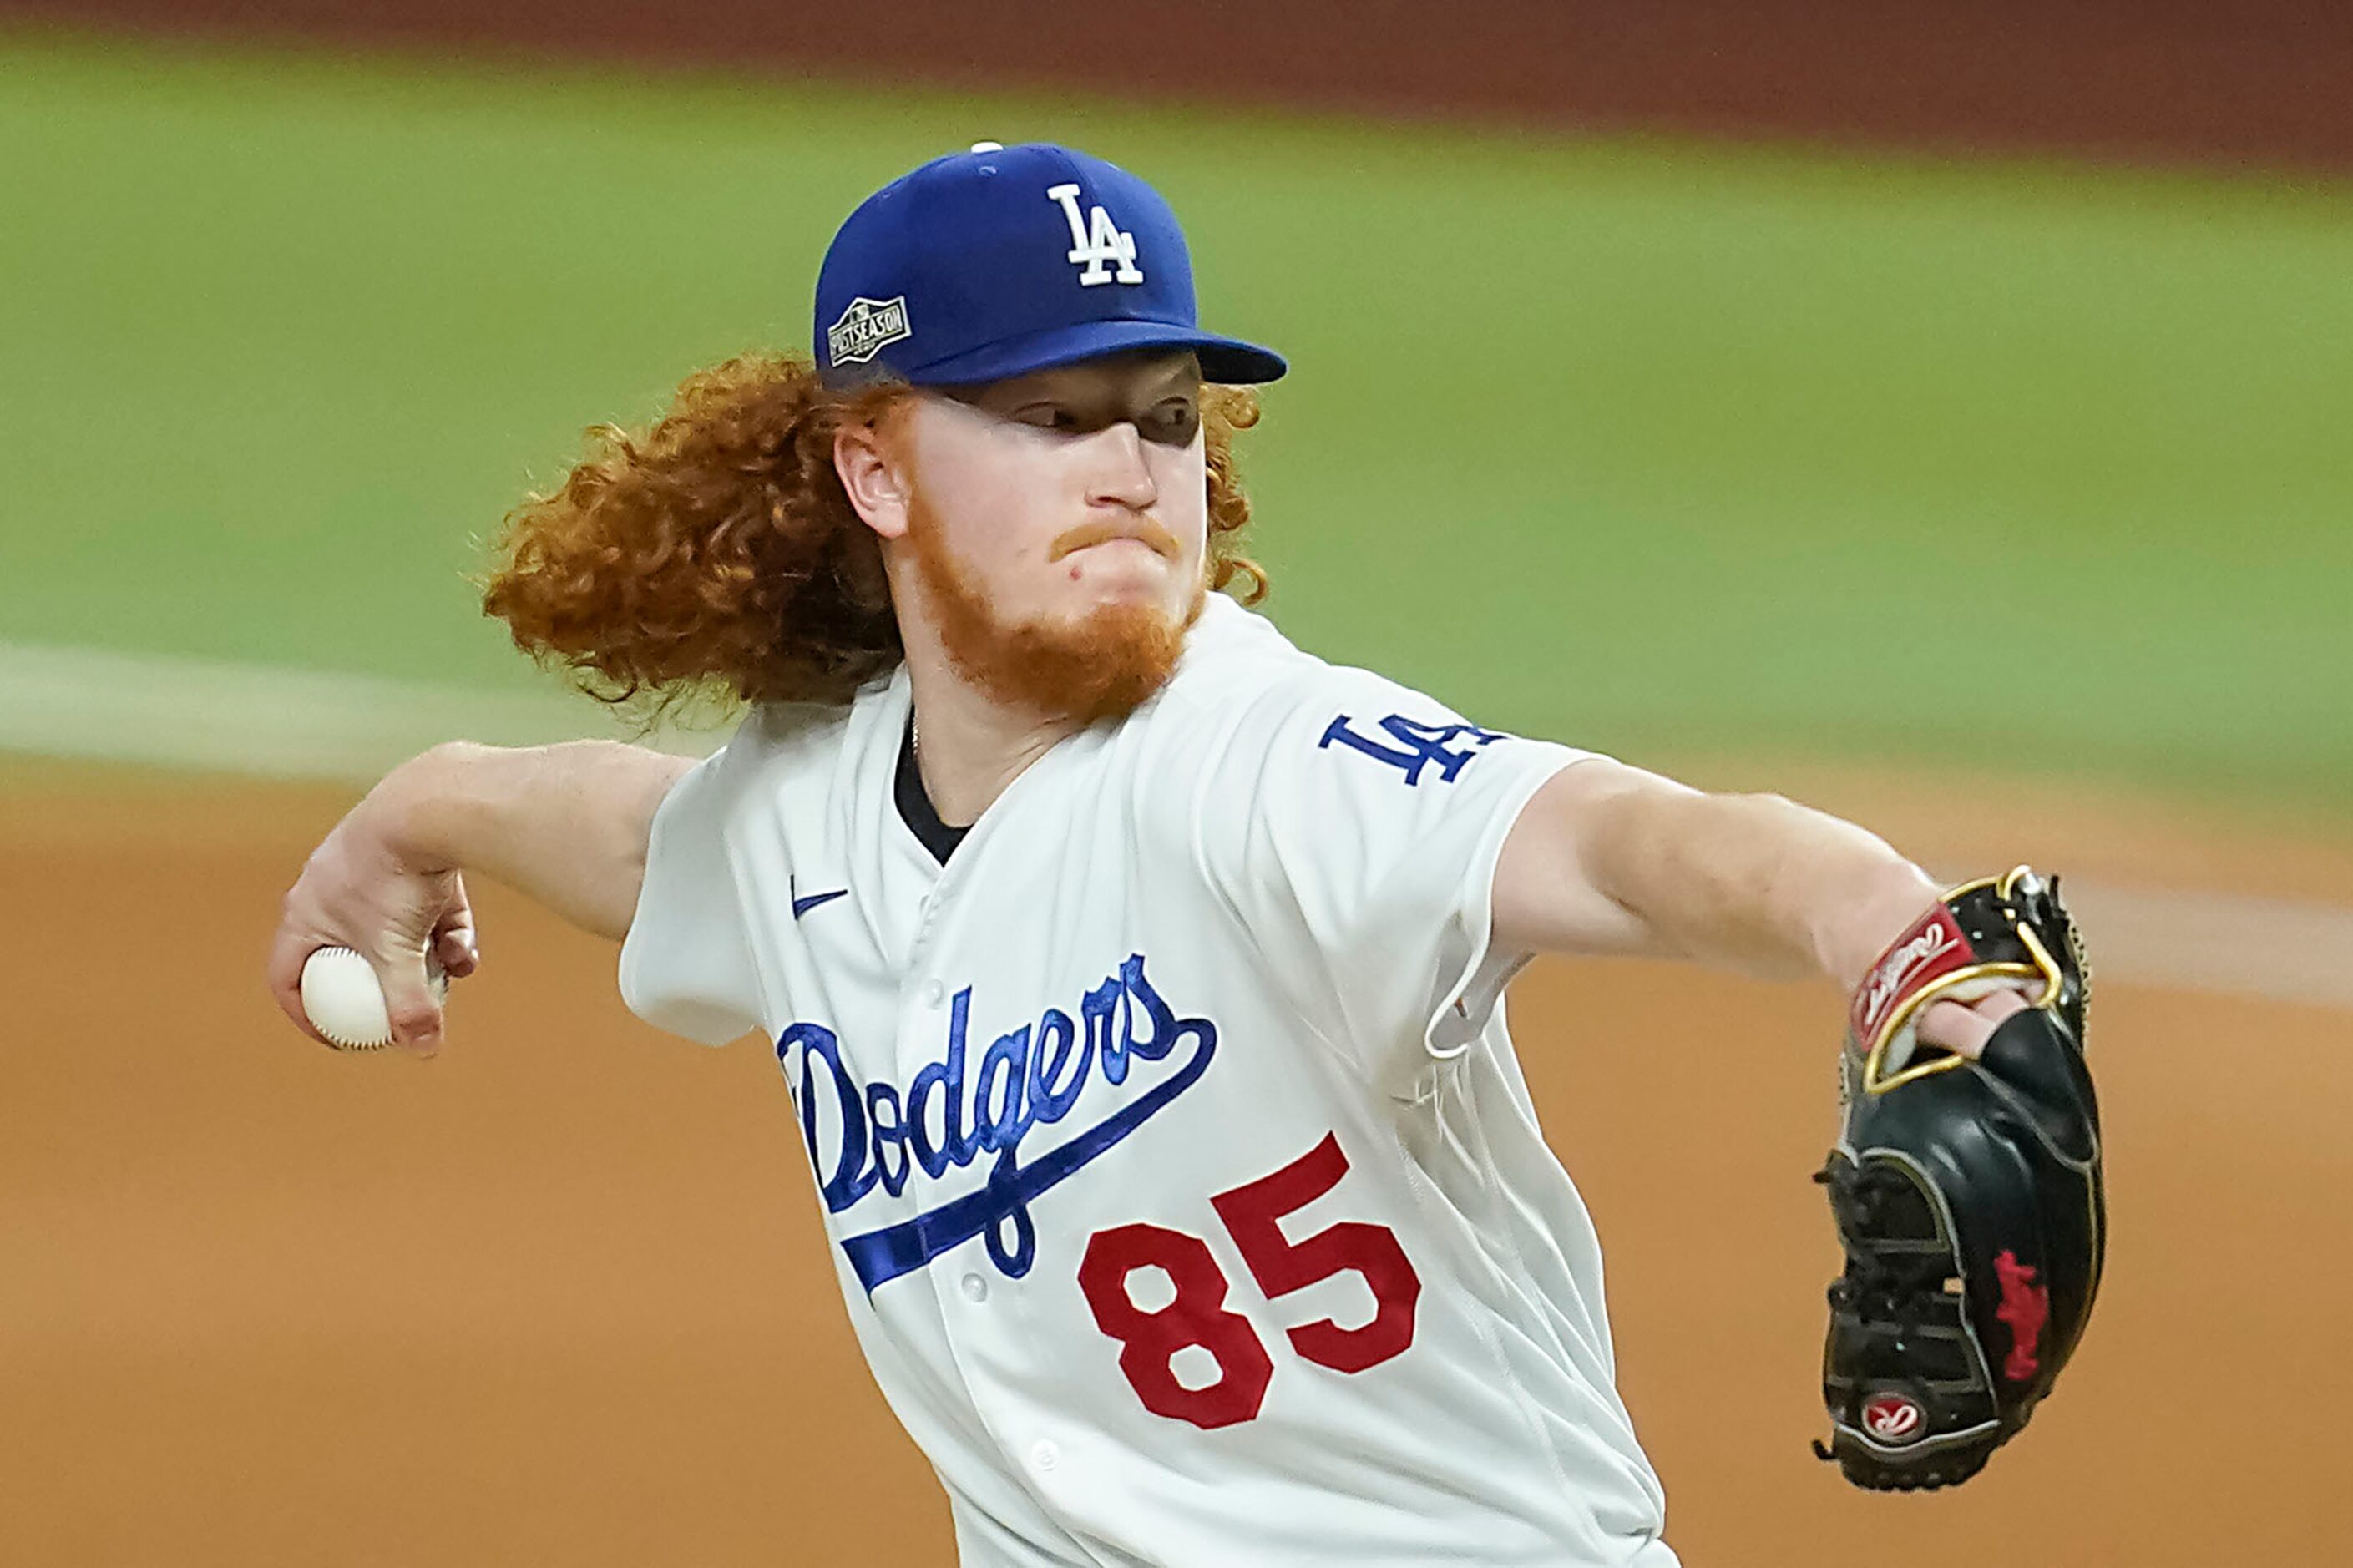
[(1138, 978)]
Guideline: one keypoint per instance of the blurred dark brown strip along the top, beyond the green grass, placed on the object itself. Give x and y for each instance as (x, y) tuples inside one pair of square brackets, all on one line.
[(2145, 81)]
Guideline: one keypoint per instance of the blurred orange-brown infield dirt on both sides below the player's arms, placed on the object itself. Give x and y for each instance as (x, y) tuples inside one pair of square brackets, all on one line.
[(561, 1296)]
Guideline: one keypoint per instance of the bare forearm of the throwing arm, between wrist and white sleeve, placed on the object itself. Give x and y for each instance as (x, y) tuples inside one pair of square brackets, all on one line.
[(566, 825)]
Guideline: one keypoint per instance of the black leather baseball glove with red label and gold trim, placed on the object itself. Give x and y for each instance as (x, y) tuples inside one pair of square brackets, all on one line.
[(1968, 1195)]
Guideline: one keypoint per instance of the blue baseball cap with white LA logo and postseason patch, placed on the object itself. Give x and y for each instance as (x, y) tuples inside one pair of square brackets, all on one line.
[(1008, 260)]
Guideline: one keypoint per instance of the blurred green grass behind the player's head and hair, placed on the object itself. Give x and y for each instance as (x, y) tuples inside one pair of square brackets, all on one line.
[(1648, 446)]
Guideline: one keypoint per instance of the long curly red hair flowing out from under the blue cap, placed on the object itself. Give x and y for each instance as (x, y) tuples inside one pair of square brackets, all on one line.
[(716, 559)]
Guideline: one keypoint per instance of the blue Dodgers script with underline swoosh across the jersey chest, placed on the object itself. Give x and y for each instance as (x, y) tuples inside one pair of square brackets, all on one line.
[(867, 1136)]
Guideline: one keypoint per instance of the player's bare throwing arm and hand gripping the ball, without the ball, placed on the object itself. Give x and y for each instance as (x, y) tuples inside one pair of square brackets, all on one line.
[(568, 825)]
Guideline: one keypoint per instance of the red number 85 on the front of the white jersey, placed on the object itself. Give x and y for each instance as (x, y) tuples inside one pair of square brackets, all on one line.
[(1149, 1341)]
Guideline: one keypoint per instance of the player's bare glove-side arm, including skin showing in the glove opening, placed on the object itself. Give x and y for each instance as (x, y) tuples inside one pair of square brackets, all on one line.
[(1618, 861)]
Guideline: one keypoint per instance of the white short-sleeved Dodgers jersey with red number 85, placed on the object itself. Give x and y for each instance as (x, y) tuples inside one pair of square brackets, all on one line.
[(1180, 1174)]
